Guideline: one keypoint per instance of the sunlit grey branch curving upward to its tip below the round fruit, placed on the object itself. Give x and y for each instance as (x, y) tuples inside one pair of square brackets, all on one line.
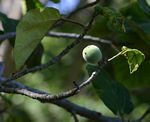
[(25, 90)]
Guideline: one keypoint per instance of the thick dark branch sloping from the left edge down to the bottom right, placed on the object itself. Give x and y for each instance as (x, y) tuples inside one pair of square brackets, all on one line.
[(18, 88)]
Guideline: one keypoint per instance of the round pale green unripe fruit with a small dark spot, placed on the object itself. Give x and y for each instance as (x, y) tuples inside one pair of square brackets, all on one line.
[(92, 54)]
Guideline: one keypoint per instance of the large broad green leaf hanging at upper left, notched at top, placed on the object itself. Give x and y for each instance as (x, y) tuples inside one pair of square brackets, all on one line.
[(30, 31)]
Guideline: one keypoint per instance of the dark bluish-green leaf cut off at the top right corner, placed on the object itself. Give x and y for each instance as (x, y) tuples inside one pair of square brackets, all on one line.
[(144, 6)]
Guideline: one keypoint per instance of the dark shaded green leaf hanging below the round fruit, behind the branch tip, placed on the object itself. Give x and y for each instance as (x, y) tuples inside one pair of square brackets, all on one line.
[(114, 95)]
